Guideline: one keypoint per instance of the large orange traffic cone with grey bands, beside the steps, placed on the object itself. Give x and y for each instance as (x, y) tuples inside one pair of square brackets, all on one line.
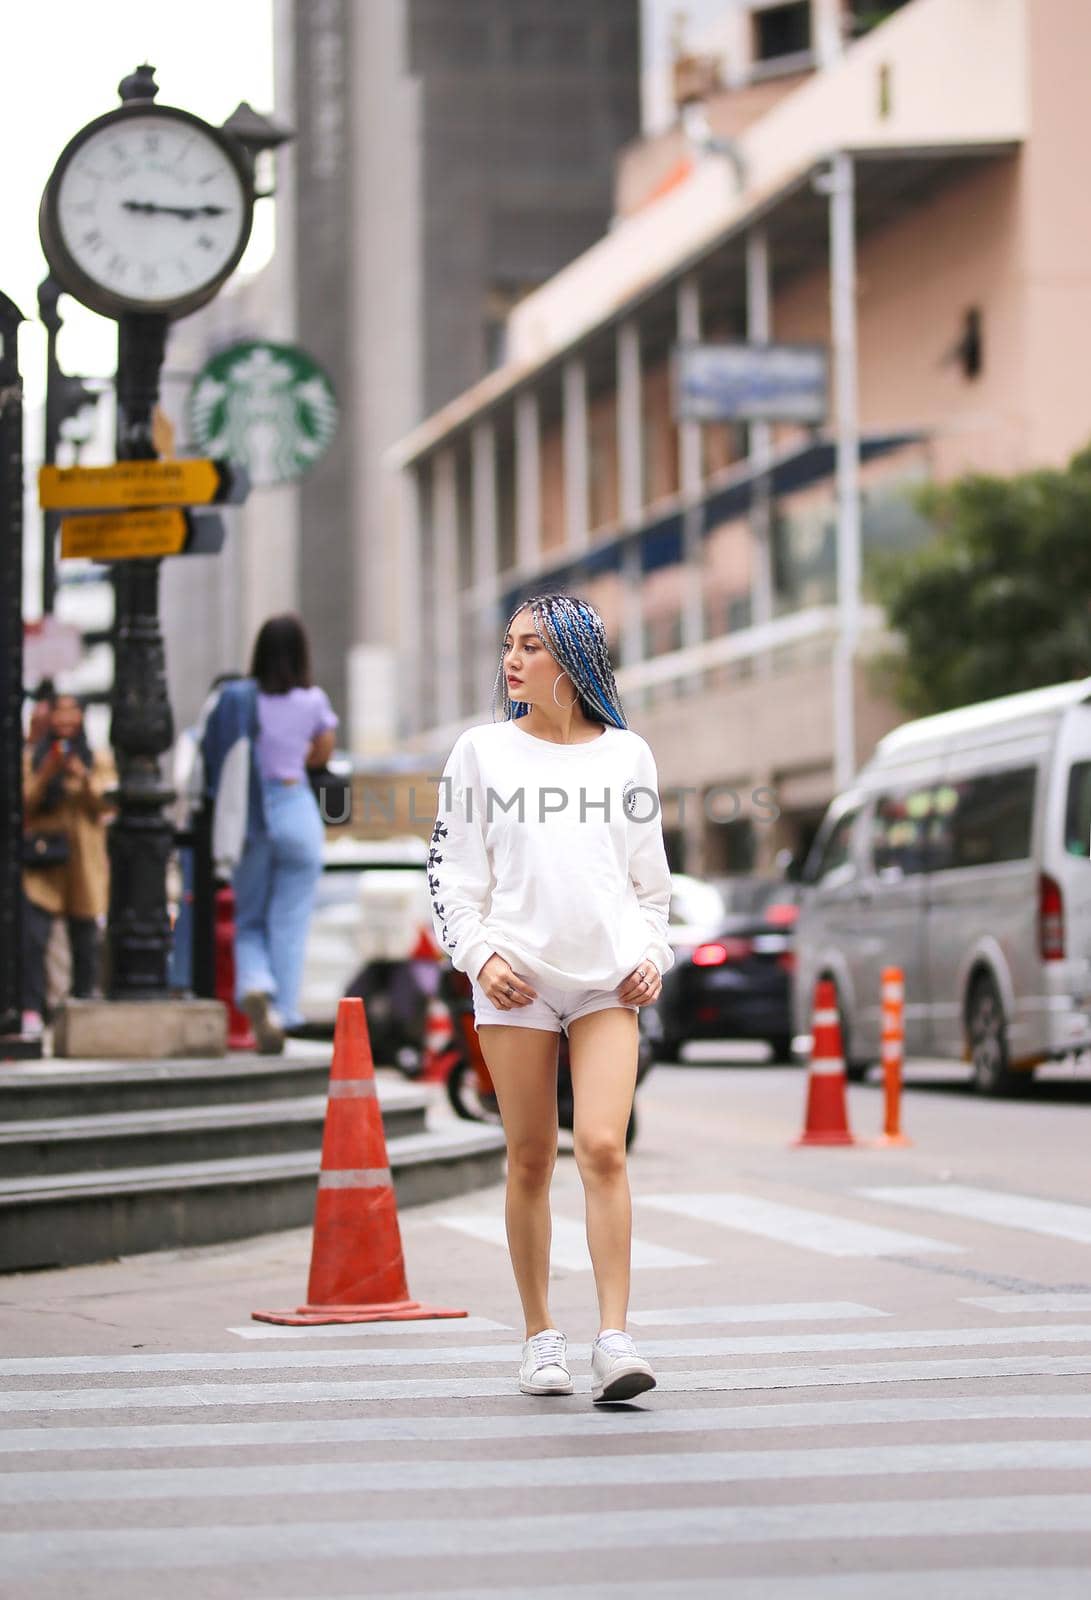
[(358, 1271)]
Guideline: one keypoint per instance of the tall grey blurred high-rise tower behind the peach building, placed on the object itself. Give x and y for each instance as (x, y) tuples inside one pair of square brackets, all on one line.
[(449, 159)]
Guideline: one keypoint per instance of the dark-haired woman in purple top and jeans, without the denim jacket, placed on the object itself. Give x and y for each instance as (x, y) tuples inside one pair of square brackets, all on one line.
[(282, 860)]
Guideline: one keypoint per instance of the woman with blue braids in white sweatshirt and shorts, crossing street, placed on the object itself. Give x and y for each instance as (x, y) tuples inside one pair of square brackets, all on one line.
[(551, 890)]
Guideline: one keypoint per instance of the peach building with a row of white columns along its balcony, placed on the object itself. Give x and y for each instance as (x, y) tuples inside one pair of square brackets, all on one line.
[(906, 194)]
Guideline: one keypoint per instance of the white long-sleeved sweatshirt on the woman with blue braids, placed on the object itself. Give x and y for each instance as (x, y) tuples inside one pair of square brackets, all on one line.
[(553, 857)]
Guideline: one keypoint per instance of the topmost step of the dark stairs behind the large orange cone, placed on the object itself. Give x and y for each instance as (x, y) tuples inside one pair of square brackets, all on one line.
[(54, 1089)]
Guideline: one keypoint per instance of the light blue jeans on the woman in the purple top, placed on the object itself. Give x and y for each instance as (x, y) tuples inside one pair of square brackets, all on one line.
[(274, 895)]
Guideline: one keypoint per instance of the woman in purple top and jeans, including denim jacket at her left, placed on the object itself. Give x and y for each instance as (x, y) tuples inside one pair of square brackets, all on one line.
[(260, 740)]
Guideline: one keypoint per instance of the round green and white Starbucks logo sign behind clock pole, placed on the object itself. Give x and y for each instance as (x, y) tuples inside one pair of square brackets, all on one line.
[(268, 407)]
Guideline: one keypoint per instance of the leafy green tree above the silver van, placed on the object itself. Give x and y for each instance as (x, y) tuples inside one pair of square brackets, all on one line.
[(1001, 599)]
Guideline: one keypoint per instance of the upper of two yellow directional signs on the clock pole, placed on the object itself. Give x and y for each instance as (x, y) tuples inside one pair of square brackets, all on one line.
[(198, 482)]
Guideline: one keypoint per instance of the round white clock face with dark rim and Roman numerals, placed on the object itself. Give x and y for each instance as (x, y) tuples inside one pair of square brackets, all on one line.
[(151, 210)]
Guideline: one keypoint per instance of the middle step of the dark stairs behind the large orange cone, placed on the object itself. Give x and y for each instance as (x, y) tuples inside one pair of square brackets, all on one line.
[(193, 1134)]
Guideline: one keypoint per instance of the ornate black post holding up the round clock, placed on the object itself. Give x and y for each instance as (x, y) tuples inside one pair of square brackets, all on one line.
[(142, 724)]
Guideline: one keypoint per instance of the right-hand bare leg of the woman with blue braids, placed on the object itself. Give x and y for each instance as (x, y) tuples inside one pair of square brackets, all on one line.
[(604, 1062)]
